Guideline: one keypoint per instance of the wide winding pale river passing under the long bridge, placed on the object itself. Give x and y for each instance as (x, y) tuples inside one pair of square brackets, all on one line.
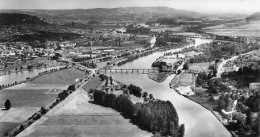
[(199, 122)]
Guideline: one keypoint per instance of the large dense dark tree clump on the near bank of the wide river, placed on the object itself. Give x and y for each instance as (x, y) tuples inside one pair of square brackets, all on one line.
[(156, 116)]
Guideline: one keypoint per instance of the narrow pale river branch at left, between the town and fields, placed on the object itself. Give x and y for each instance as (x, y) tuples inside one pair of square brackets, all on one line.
[(21, 76)]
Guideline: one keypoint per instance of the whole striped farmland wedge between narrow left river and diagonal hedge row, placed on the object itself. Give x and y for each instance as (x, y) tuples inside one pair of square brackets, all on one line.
[(27, 98)]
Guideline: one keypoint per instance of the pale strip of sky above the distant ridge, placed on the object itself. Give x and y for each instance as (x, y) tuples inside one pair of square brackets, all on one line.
[(208, 6)]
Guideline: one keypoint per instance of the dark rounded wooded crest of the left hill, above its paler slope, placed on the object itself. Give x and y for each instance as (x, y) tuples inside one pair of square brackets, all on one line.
[(19, 19)]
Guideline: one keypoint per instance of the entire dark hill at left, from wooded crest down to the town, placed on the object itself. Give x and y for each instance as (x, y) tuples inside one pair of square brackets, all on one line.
[(22, 27)]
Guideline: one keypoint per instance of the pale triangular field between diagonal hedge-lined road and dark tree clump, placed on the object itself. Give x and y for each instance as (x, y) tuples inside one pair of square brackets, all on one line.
[(76, 116)]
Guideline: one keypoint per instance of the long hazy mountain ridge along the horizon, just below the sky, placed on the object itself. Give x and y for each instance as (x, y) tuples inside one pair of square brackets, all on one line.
[(112, 14)]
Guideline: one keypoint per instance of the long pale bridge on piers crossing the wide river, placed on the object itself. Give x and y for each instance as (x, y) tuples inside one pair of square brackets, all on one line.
[(138, 71)]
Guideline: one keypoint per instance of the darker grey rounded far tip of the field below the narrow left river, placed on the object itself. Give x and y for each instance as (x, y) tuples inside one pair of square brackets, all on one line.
[(66, 77)]
